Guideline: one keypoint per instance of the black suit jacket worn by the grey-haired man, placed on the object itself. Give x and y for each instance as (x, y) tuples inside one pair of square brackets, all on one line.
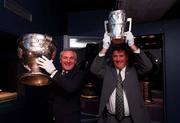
[(66, 96)]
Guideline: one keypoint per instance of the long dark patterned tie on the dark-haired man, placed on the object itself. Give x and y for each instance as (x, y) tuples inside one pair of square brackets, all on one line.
[(119, 98)]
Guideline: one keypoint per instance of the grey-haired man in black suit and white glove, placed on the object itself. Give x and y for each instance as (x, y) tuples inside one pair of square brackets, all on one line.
[(67, 81)]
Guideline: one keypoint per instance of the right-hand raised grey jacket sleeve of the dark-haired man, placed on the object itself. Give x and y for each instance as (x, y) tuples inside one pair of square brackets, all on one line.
[(142, 63)]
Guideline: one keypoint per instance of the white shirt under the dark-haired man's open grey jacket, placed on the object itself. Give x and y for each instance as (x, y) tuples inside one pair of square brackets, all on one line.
[(111, 107)]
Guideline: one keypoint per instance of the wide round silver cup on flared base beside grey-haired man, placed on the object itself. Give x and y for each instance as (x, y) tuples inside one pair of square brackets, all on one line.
[(30, 47)]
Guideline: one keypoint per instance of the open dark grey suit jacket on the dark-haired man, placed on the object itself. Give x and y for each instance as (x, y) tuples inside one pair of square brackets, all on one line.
[(131, 85)]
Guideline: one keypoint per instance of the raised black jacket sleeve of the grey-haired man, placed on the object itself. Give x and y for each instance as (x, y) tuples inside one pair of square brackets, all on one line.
[(70, 82)]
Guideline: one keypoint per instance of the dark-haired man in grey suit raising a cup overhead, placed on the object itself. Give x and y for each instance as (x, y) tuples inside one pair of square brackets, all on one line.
[(120, 71)]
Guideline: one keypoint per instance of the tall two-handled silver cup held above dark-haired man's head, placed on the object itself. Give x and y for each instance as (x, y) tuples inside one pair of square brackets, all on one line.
[(116, 25)]
